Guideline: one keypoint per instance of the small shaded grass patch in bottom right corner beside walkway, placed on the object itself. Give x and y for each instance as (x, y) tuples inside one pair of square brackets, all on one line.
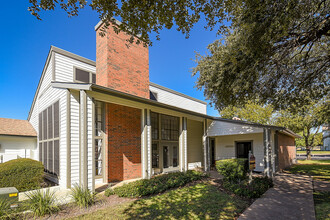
[(322, 205)]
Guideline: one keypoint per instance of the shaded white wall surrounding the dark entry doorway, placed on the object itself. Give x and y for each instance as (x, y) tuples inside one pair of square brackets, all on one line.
[(225, 147)]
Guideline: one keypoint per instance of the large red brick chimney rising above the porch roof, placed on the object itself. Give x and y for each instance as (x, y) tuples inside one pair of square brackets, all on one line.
[(119, 67)]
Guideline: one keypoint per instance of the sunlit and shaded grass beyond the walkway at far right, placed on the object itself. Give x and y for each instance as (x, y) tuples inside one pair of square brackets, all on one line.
[(316, 169)]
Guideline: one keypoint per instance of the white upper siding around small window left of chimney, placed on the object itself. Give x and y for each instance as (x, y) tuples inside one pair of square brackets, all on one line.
[(64, 68)]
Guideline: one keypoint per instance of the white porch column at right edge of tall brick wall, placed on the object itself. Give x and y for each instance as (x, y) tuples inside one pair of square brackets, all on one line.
[(146, 144)]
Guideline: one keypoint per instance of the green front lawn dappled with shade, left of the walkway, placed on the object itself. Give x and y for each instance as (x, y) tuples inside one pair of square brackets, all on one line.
[(202, 201)]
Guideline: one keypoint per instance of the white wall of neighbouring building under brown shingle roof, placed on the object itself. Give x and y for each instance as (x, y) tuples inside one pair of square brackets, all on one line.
[(14, 147)]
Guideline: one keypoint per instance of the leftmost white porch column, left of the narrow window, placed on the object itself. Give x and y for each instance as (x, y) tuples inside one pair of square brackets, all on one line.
[(83, 139)]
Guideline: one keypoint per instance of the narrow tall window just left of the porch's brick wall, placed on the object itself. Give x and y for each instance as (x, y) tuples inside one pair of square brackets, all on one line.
[(99, 130)]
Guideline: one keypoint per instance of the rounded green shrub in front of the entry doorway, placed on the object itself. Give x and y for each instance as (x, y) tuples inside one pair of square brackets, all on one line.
[(233, 170)]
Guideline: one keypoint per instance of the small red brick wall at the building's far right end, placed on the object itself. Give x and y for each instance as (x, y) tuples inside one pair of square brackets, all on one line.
[(286, 151)]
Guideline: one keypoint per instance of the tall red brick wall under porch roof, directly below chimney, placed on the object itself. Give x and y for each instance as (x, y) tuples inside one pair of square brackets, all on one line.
[(124, 142)]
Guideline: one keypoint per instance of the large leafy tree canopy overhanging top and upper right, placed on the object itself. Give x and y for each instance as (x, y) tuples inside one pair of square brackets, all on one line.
[(273, 51)]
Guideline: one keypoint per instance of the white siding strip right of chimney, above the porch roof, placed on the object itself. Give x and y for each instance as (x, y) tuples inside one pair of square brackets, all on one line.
[(171, 98)]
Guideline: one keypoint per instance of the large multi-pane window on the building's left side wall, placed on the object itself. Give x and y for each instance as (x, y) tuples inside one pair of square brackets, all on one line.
[(49, 131)]
